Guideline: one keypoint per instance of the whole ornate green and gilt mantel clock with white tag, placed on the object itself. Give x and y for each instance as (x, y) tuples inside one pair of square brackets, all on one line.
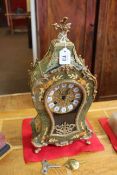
[(62, 93)]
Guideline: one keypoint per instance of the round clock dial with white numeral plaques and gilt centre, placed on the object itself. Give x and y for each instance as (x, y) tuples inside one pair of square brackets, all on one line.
[(64, 97)]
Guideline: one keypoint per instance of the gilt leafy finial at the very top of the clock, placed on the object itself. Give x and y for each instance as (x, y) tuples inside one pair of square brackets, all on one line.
[(63, 26)]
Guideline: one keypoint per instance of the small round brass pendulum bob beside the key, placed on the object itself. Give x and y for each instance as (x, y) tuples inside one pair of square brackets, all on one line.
[(72, 164)]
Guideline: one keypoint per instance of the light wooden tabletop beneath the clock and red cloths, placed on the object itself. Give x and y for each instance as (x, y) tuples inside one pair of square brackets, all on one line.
[(13, 109)]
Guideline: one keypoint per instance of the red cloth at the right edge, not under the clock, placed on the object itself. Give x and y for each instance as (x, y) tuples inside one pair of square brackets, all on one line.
[(105, 125)]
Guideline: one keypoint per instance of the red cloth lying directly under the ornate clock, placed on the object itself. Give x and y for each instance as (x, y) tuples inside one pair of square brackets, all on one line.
[(52, 152)]
